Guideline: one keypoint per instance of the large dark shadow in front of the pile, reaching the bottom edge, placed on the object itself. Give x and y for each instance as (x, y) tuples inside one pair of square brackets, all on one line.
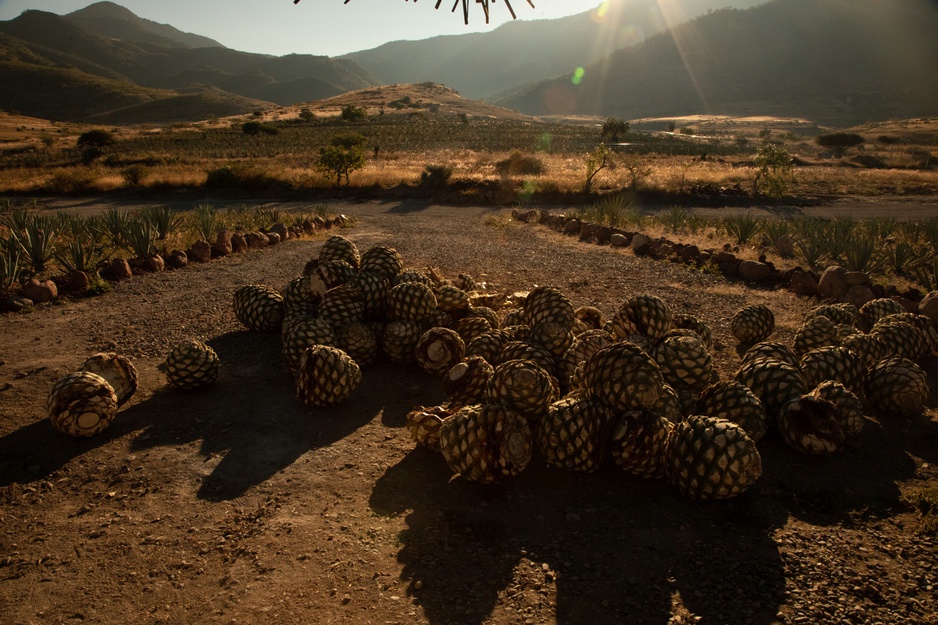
[(598, 548)]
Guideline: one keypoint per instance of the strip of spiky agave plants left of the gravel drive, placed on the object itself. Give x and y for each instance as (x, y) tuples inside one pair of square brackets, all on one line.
[(38, 245)]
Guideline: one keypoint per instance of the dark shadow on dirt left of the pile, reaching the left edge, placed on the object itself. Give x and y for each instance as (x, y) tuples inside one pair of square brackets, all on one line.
[(250, 417)]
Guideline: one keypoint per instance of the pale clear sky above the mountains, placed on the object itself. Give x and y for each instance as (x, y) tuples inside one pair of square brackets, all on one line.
[(322, 27)]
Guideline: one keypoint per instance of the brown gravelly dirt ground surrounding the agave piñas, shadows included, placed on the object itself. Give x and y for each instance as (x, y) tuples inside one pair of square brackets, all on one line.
[(237, 504)]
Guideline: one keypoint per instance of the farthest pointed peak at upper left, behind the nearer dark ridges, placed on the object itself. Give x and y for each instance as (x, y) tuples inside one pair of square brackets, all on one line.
[(111, 20)]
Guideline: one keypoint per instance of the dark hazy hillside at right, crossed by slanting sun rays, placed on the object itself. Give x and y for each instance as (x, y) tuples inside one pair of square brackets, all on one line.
[(839, 63)]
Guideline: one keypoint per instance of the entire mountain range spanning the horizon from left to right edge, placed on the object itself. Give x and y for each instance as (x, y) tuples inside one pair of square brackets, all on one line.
[(836, 62)]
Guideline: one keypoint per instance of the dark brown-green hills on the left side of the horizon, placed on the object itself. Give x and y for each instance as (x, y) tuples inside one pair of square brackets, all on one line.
[(43, 54)]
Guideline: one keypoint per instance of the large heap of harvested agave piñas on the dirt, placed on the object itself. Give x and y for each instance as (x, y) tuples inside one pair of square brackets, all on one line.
[(578, 388)]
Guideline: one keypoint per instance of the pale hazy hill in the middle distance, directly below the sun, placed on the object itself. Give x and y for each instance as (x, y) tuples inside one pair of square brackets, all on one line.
[(483, 65)]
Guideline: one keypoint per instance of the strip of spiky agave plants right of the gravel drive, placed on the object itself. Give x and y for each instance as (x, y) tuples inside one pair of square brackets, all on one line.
[(881, 246)]
